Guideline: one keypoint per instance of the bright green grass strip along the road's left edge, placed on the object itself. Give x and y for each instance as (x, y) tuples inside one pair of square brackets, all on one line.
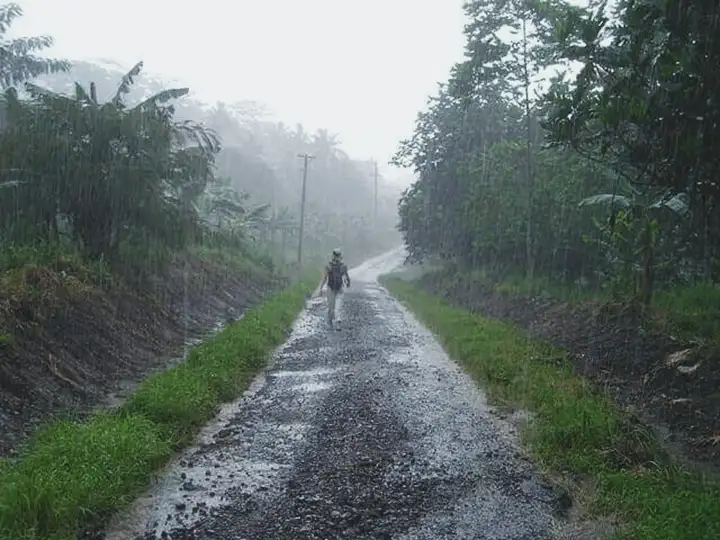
[(71, 474)]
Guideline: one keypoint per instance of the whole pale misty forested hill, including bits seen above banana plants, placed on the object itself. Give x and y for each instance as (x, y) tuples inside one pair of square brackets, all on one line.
[(259, 166)]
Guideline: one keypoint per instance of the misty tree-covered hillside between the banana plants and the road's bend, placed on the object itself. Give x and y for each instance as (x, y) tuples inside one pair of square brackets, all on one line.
[(261, 157)]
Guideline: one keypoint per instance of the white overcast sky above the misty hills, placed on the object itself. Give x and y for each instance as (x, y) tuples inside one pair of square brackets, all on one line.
[(360, 69)]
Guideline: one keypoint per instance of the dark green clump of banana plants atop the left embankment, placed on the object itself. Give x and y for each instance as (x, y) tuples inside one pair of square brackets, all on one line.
[(112, 172)]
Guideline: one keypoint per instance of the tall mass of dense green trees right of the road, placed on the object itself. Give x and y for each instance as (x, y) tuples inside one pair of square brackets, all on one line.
[(604, 173)]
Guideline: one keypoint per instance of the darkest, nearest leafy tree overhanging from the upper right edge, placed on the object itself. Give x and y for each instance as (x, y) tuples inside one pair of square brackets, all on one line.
[(645, 102)]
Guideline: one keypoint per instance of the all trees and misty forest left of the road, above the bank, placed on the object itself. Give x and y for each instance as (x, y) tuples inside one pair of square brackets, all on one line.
[(114, 163)]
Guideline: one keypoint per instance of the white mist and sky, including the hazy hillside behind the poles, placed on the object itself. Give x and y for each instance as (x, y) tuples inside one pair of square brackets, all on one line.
[(281, 80)]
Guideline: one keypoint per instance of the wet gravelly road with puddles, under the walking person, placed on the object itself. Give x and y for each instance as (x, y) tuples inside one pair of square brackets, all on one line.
[(363, 431)]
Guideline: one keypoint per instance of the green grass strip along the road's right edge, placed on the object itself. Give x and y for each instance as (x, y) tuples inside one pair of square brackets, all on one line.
[(577, 431)]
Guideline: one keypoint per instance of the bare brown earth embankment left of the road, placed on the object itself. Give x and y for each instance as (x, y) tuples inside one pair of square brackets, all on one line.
[(69, 348)]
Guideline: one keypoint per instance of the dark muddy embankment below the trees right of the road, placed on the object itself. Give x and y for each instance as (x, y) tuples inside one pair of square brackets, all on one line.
[(669, 384)]
